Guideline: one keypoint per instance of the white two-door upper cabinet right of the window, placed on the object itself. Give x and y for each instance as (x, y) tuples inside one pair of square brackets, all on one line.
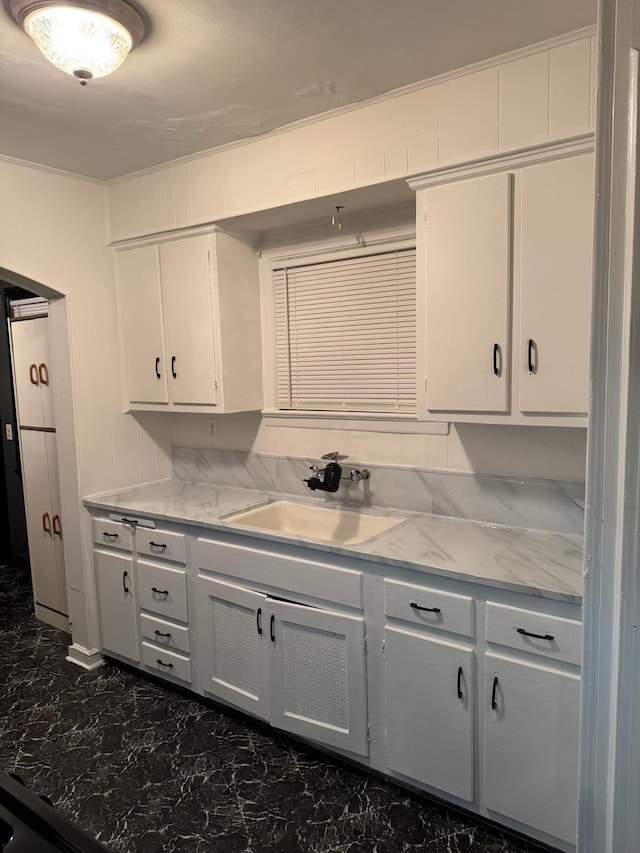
[(504, 293)]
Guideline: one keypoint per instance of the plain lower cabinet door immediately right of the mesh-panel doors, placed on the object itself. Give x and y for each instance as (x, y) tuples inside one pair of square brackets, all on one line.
[(430, 711)]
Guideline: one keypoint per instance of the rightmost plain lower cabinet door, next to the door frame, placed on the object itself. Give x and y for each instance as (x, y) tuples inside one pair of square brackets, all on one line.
[(532, 722)]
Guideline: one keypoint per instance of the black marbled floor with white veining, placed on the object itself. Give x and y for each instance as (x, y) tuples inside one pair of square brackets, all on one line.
[(149, 770)]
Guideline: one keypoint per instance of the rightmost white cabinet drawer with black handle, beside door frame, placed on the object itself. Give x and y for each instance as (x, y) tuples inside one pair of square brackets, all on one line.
[(530, 631)]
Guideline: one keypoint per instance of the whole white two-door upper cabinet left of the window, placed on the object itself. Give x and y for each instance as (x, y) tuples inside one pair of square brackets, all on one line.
[(190, 318)]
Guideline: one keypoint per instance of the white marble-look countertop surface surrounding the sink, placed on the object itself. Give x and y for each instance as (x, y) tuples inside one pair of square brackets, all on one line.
[(541, 563)]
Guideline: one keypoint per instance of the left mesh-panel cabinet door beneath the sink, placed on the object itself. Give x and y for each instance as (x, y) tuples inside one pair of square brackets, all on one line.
[(233, 635)]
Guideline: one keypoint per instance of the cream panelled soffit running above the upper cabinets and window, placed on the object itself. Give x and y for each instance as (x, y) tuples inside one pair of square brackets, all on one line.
[(529, 98)]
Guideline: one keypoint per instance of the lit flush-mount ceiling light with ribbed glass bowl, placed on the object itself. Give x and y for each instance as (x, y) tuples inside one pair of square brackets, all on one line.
[(85, 38)]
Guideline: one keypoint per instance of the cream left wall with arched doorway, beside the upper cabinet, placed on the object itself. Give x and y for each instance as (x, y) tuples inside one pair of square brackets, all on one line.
[(52, 231)]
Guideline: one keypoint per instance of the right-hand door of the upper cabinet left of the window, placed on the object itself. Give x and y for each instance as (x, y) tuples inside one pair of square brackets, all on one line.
[(188, 312)]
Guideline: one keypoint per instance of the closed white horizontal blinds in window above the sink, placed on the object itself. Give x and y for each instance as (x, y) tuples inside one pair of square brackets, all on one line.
[(346, 334)]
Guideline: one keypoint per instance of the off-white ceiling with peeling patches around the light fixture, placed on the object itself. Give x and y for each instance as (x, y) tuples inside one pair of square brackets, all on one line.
[(215, 71)]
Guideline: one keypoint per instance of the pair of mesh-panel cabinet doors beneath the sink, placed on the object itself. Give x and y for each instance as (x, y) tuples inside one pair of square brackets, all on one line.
[(301, 668)]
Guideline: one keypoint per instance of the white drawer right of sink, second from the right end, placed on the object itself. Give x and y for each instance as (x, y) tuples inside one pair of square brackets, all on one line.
[(422, 605)]
